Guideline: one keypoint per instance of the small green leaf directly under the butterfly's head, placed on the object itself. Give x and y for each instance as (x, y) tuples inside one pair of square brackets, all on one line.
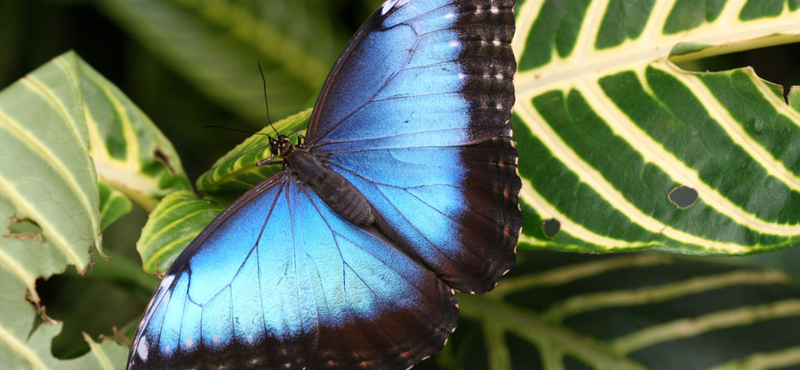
[(237, 171)]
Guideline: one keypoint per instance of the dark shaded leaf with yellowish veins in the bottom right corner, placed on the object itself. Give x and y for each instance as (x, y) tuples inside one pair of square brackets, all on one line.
[(626, 312)]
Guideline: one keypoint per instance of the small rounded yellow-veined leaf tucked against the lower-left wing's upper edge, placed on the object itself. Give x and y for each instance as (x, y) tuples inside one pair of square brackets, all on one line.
[(177, 220)]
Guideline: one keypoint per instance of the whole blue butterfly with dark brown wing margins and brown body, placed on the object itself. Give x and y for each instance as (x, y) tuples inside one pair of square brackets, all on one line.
[(405, 189)]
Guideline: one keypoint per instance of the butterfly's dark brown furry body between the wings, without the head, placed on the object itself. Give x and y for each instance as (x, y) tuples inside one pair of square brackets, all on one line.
[(332, 188)]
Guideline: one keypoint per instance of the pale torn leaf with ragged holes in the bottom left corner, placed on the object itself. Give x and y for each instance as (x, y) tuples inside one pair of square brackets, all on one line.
[(24, 258)]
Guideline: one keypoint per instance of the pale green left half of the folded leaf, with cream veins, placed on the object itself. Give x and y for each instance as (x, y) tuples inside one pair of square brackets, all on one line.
[(45, 169)]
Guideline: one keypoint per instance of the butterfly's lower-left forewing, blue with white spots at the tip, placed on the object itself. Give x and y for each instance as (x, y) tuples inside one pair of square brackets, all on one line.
[(223, 302)]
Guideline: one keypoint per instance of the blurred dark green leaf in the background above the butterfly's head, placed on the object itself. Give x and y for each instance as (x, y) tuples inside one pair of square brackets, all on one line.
[(214, 45)]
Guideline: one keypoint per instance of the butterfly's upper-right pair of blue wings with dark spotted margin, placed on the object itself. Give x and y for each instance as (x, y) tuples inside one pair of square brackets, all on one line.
[(415, 114)]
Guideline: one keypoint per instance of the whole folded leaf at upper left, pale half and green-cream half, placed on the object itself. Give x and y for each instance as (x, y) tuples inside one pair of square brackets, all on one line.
[(51, 121)]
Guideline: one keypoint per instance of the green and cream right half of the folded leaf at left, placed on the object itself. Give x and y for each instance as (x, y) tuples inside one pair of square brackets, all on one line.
[(129, 151)]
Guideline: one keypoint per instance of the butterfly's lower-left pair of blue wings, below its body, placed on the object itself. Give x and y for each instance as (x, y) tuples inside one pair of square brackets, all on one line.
[(280, 281)]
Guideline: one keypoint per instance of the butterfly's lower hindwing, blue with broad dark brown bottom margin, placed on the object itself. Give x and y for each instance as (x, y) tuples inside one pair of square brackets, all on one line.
[(378, 308)]
